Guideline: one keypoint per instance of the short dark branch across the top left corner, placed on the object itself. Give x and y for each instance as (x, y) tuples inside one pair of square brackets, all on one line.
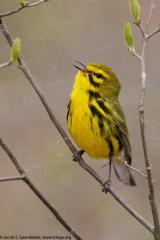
[(24, 5)]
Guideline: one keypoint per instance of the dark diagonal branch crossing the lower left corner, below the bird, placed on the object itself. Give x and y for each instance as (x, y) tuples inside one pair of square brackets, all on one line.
[(31, 185)]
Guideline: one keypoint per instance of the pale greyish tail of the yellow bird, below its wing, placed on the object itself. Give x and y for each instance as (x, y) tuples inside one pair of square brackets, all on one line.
[(123, 173)]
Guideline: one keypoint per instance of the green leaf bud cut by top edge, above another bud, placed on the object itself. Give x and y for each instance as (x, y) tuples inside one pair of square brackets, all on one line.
[(135, 9)]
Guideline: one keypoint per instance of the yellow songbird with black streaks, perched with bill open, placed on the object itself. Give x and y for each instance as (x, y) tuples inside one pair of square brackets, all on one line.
[(96, 120)]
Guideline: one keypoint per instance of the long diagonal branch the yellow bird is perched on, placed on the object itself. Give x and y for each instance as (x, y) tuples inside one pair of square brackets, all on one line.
[(34, 84)]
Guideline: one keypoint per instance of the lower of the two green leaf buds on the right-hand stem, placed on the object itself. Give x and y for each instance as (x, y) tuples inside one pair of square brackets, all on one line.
[(128, 37)]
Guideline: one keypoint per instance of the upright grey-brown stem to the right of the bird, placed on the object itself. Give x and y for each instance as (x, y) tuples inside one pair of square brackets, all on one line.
[(142, 128)]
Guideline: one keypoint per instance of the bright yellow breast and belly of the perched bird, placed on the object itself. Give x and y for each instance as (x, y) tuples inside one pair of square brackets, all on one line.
[(87, 130)]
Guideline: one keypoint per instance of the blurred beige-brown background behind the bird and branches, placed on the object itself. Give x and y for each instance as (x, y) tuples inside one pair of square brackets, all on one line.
[(53, 35)]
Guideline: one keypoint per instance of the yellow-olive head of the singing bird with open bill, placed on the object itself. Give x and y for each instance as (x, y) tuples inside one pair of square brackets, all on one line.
[(97, 77)]
